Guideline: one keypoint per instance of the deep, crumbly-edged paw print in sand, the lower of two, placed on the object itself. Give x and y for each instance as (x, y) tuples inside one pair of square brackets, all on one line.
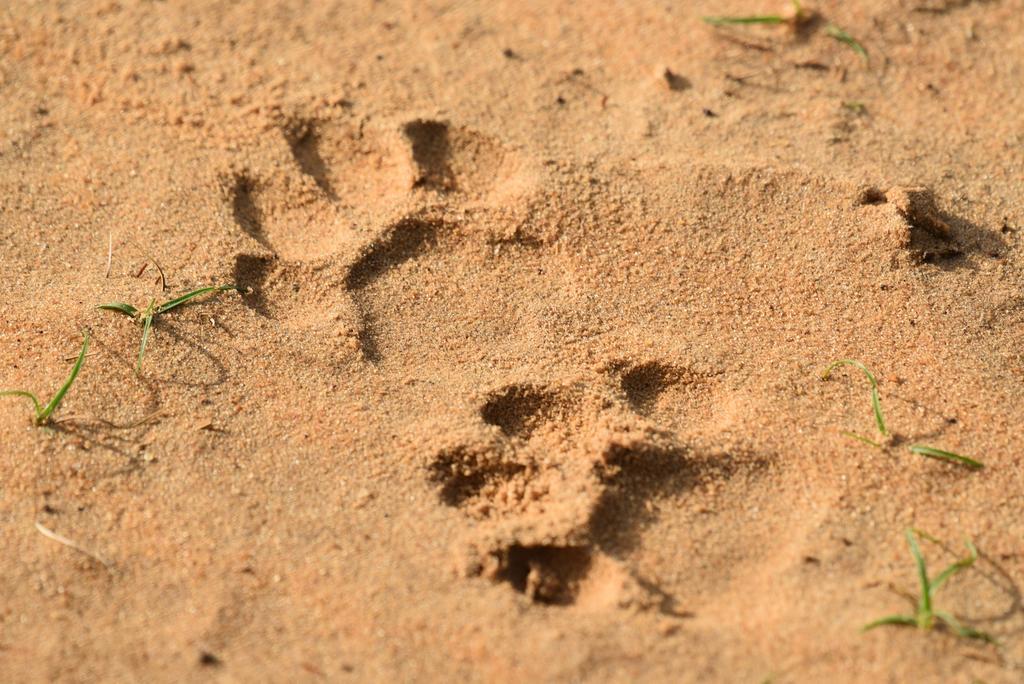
[(534, 475)]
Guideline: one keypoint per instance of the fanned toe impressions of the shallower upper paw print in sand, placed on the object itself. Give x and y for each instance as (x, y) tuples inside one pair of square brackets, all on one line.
[(313, 215)]
